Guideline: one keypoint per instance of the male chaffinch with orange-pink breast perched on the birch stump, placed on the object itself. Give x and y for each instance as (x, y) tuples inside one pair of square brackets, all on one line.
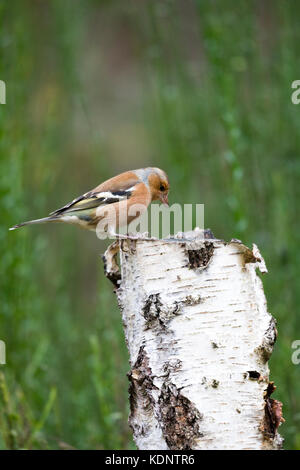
[(114, 203)]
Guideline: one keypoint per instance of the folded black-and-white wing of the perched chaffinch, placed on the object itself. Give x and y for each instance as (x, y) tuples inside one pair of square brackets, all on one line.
[(93, 199)]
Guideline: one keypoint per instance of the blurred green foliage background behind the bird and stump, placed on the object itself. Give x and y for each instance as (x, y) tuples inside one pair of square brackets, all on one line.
[(94, 87)]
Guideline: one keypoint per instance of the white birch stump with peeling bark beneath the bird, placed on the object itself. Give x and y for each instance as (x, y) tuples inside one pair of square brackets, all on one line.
[(199, 338)]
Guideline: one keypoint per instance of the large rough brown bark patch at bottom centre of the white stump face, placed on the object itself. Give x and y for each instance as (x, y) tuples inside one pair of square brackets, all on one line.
[(180, 419)]
